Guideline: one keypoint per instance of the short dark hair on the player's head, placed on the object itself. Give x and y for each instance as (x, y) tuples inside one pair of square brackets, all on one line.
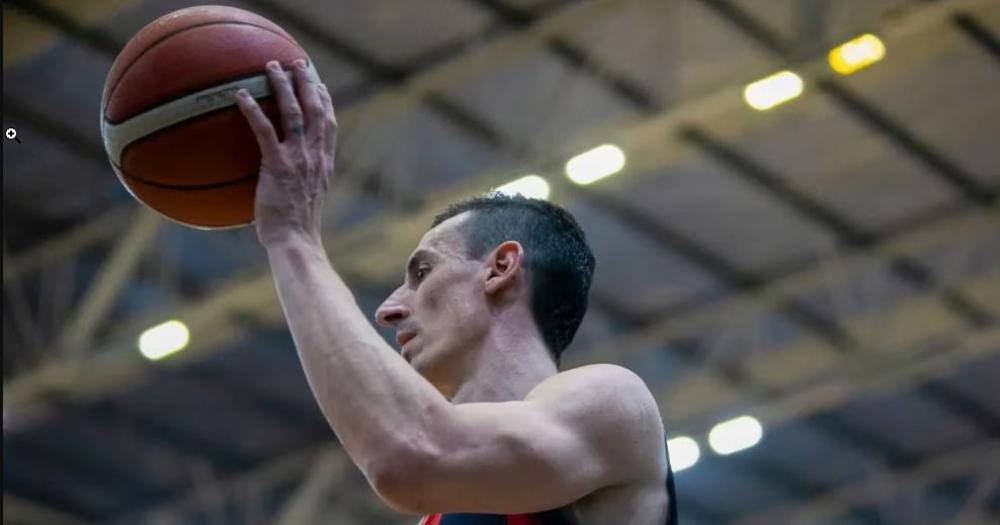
[(558, 260)]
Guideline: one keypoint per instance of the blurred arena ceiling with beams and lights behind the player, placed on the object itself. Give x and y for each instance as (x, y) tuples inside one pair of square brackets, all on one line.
[(812, 291)]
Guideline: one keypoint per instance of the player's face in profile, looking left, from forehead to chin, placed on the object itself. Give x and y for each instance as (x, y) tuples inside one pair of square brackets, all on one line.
[(440, 312)]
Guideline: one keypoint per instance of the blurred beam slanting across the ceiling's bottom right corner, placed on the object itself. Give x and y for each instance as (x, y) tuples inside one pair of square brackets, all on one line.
[(973, 460)]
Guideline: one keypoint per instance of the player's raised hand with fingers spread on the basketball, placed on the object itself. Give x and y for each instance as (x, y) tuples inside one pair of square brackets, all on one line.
[(295, 167)]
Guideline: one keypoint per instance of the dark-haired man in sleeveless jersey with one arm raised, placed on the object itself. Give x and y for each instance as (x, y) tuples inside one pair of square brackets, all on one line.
[(471, 423)]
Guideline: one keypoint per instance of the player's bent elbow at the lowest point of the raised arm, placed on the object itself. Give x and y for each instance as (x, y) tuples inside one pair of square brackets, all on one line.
[(400, 478)]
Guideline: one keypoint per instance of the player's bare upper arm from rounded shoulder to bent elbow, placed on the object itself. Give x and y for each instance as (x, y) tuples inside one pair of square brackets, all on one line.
[(577, 432)]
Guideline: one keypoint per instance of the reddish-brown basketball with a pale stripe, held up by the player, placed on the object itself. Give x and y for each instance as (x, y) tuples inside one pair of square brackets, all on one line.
[(169, 122)]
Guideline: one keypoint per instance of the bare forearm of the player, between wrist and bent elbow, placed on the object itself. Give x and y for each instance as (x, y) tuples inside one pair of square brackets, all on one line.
[(369, 395)]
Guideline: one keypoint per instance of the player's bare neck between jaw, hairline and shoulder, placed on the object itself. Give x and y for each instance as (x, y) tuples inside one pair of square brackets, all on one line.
[(506, 370)]
